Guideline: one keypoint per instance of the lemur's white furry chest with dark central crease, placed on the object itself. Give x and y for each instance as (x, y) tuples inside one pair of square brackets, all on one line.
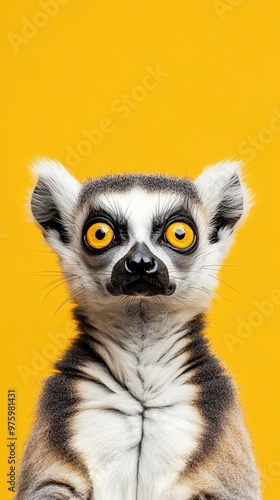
[(135, 439)]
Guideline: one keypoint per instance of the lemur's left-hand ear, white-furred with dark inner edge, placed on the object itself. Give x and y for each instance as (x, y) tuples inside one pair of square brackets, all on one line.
[(54, 198)]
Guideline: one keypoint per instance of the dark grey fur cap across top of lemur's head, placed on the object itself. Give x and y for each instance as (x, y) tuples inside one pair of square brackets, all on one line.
[(151, 183)]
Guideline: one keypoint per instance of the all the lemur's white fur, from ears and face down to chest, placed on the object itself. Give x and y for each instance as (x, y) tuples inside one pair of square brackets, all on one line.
[(147, 404)]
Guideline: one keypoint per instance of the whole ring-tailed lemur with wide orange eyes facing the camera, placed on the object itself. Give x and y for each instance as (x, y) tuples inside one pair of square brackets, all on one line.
[(139, 408)]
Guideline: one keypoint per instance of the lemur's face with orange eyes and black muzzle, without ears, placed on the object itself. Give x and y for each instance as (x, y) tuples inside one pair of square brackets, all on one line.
[(138, 241)]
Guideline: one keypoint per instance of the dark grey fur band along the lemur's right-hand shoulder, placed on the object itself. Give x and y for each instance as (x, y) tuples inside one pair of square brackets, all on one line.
[(216, 391)]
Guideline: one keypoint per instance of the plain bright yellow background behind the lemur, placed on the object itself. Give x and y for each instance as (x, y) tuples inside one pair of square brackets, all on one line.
[(221, 95)]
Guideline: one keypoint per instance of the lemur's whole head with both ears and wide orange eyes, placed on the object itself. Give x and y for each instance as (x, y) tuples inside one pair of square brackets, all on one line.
[(140, 236)]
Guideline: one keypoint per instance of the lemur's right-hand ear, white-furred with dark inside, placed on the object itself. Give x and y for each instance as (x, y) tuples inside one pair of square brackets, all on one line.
[(224, 196)]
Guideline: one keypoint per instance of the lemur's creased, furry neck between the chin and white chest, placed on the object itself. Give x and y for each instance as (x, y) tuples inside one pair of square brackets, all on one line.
[(146, 352)]
